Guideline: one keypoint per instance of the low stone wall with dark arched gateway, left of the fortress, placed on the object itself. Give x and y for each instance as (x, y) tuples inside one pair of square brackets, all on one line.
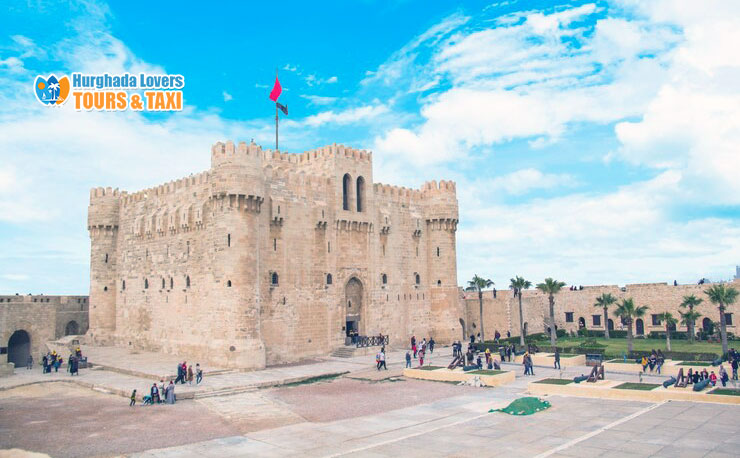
[(37, 319)]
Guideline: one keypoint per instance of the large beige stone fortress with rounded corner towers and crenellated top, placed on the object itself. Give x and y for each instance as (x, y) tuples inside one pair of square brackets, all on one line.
[(267, 257)]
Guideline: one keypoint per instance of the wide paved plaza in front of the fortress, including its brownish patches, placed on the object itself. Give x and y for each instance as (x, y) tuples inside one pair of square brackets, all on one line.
[(362, 413)]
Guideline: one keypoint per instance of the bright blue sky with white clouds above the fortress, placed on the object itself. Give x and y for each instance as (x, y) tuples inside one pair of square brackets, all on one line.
[(596, 142)]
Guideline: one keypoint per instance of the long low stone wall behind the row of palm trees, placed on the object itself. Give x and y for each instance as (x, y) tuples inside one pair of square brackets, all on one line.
[(502, 313)]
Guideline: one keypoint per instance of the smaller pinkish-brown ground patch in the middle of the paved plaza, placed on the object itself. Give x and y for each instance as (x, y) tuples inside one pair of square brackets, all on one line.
[(346, 398)]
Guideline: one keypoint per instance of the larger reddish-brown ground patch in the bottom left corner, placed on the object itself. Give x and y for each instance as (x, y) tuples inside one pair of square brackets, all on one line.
[(69, 421)]
